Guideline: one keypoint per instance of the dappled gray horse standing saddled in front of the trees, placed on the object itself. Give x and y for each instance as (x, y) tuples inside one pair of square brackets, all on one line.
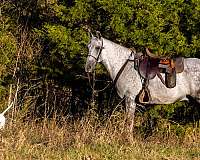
[(128, 83)]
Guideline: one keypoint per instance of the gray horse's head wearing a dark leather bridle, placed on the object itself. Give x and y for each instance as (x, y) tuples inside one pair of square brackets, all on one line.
[(95, 48)]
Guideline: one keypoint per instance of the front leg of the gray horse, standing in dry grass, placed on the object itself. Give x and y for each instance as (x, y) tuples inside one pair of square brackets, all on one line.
[(130, 108)]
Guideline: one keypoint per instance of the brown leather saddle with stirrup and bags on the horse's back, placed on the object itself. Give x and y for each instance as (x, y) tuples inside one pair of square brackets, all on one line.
[(149, 65)]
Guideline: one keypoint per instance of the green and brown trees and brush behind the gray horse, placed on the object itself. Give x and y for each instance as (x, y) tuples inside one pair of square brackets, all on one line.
[(43, 46)]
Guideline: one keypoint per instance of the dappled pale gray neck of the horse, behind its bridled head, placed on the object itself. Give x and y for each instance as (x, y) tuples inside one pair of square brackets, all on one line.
[(114, 57)]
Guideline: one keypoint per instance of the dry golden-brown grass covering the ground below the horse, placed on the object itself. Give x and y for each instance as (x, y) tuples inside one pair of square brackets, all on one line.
[(91, 139)]
